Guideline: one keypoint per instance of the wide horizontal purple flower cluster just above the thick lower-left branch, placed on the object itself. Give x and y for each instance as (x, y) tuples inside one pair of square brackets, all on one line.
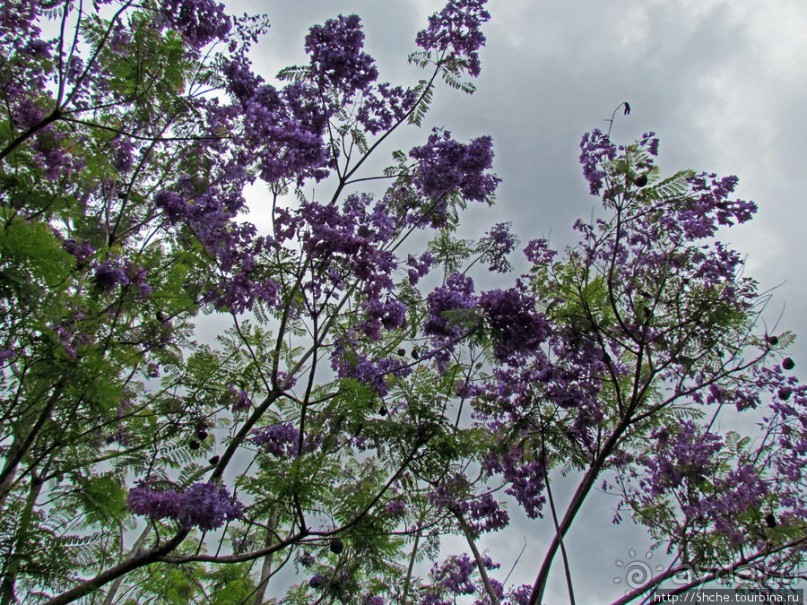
[(204, 505)]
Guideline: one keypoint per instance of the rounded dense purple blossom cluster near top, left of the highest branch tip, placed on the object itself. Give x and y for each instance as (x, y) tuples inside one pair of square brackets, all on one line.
[(337, 59)]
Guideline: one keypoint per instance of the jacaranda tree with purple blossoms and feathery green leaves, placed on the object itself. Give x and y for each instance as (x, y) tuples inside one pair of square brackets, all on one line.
[(367, 399)]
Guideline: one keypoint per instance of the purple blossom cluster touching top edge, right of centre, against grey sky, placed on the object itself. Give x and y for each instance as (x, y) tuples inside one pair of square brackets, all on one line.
[(457, 30)]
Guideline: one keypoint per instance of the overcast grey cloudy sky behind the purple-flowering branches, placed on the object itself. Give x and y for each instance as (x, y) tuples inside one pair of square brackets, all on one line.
[(722, 83)]
